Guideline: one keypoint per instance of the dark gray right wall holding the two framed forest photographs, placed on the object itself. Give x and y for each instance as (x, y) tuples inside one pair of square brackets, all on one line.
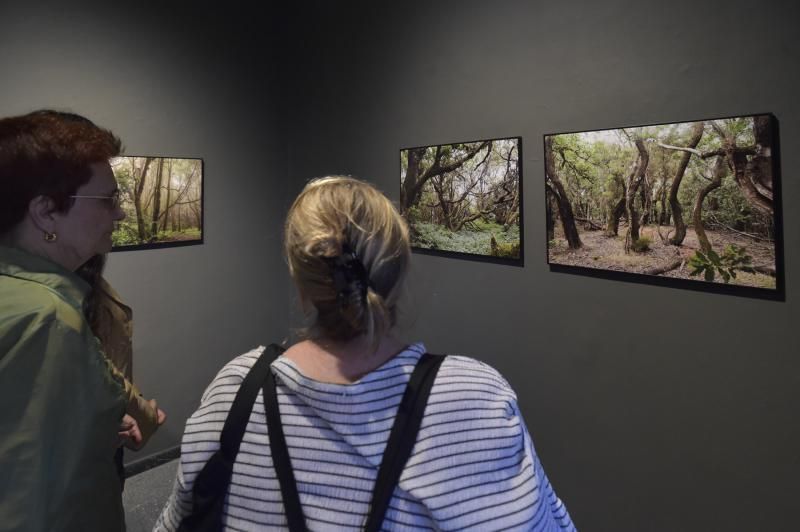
[(652, 408)]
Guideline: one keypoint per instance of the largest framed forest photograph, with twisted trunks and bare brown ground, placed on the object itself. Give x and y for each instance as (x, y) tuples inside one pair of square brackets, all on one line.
[(689, 204)]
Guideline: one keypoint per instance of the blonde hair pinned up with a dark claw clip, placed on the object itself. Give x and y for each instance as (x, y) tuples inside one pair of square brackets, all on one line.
[(348, 252)]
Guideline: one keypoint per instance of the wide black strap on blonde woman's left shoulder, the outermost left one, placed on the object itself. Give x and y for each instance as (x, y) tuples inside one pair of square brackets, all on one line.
[(211, 484)]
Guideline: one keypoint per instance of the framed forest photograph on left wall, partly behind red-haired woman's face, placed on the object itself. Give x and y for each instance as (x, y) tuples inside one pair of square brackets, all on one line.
[(163, 202)]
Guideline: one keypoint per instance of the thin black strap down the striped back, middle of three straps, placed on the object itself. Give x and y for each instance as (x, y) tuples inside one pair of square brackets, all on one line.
[(280, 458)]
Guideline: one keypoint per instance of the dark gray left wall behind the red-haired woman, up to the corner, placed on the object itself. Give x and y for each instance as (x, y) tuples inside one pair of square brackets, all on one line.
[(185, 81)]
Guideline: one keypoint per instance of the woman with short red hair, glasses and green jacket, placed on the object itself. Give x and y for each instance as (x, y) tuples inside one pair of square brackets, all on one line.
[(63, 401)]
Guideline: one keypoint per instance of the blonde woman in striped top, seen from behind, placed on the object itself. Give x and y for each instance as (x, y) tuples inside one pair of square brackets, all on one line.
[(472, 465)]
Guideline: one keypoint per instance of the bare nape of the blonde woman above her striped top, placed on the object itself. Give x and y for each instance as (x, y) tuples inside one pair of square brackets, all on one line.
[(342, 362)]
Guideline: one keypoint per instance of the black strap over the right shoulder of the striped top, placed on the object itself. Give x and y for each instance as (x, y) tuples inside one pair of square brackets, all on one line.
[(403, 437)]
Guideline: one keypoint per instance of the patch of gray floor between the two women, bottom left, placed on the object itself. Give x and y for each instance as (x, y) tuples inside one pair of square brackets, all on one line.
[(145, 495)]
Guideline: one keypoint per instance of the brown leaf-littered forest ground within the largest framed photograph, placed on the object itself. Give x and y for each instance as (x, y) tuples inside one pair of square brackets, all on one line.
[(608, 253)]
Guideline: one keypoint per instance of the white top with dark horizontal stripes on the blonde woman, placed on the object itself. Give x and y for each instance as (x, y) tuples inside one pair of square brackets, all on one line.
[(473, 466)]
